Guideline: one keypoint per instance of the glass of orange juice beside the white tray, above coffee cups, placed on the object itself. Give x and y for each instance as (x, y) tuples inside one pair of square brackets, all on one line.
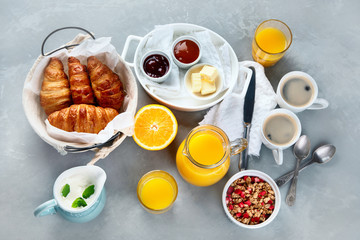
[(271, 40)]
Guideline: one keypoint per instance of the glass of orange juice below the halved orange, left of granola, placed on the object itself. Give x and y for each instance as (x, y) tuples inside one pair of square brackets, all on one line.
[(157, 191)]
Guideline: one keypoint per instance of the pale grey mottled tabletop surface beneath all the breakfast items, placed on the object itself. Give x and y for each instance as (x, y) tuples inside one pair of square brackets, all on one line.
[(326, 45)]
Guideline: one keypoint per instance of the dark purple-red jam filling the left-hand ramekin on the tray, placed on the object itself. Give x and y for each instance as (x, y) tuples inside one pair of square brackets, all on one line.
[(156, 65)]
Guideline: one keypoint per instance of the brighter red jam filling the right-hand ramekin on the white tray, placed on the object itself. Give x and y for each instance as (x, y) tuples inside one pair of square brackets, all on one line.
[(186, 51)]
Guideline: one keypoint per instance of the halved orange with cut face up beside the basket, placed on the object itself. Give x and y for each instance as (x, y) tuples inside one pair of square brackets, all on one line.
[(155, 127)]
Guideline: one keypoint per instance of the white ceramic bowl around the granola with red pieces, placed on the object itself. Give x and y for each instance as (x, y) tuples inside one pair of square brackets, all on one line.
[(266, 178)]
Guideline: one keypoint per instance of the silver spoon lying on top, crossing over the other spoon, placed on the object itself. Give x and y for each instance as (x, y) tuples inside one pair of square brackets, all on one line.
[(301, 151)]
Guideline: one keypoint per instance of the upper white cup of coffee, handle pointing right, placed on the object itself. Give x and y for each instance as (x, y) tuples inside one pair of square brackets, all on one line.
[(298, 91)]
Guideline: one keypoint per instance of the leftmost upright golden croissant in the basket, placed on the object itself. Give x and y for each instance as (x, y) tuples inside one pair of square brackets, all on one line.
[(55, 91)]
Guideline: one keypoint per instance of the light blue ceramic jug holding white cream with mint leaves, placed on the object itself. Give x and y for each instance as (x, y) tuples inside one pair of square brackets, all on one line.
[(93, 174)]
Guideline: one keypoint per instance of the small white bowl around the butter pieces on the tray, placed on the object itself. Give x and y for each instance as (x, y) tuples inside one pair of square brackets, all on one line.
[(187, 81)]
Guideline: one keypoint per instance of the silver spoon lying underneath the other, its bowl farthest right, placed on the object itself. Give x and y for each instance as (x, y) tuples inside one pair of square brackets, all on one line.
[(321, 155)]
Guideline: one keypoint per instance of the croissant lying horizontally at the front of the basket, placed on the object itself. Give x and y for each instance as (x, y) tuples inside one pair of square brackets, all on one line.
[(82, 118)]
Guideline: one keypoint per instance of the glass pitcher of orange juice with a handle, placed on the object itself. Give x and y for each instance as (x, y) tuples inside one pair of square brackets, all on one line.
[(203, 158)]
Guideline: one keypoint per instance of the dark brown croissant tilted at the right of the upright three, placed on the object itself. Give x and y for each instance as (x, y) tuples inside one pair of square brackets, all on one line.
[(107, 86)]
